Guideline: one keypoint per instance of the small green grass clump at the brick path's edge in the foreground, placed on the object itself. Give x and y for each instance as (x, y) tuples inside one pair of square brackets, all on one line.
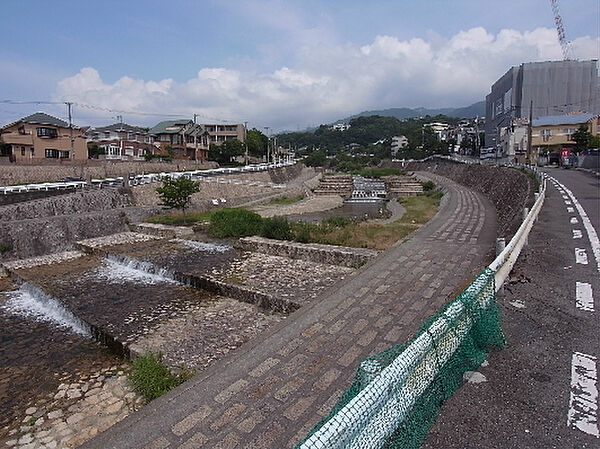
[(151, 378)]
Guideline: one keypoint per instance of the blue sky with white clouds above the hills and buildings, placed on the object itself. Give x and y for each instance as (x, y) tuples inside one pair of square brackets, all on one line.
[(286, 65)]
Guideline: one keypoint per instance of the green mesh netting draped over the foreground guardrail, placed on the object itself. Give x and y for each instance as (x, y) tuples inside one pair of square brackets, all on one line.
[(483, 332)]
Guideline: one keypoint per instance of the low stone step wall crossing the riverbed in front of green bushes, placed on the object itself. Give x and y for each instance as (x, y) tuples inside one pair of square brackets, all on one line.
[(312, 252)]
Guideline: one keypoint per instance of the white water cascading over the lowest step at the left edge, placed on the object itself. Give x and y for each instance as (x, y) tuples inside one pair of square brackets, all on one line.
[(29, 301)]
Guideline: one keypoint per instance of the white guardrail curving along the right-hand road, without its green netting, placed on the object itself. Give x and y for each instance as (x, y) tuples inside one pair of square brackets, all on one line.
[(371, 417)]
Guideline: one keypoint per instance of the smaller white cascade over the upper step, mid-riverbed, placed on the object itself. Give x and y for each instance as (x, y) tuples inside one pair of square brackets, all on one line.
[(119, 269)]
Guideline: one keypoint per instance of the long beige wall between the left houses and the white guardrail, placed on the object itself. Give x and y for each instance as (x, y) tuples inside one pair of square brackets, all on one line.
[(20, 174)]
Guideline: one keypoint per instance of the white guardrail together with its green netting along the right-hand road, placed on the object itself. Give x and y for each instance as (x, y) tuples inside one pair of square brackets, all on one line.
[(396, 394)]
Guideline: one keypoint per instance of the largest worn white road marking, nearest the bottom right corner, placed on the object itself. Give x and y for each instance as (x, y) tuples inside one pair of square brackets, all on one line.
[(583, 402)]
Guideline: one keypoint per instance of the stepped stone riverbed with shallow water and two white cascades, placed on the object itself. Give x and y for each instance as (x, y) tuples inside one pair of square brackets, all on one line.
[(70, 327)]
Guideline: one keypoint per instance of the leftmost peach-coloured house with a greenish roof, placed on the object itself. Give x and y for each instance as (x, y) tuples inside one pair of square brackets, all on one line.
[(42, 137)]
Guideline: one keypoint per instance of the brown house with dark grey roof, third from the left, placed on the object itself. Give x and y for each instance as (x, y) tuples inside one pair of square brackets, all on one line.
[(182, 138)]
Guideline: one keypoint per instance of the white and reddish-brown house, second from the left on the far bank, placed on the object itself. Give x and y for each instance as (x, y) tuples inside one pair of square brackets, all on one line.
[(121, 141)]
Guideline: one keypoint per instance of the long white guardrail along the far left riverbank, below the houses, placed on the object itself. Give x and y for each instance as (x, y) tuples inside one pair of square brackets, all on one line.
[(141, 179)]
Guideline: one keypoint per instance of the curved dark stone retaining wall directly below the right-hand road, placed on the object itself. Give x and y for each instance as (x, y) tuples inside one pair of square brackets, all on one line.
[(509, 189)]
